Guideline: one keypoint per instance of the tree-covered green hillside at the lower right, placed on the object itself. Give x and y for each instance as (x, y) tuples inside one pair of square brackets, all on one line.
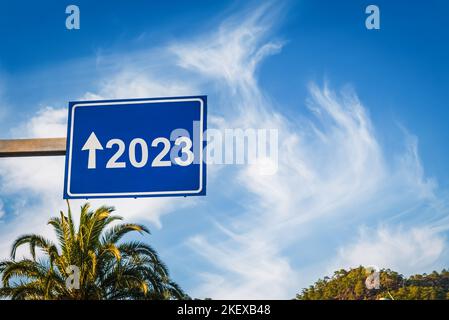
[(350, 285)]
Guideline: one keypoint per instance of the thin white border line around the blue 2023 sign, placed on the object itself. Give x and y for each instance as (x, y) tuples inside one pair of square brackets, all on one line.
[(69, 171)]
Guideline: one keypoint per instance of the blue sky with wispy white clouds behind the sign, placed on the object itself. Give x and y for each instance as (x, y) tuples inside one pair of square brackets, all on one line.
[(372, 191)]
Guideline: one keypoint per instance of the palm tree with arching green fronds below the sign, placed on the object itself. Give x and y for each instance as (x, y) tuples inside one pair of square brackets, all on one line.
[(107, 268)]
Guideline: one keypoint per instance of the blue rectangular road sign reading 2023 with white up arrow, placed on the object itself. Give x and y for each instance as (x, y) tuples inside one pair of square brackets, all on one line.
[(136, 148)]
